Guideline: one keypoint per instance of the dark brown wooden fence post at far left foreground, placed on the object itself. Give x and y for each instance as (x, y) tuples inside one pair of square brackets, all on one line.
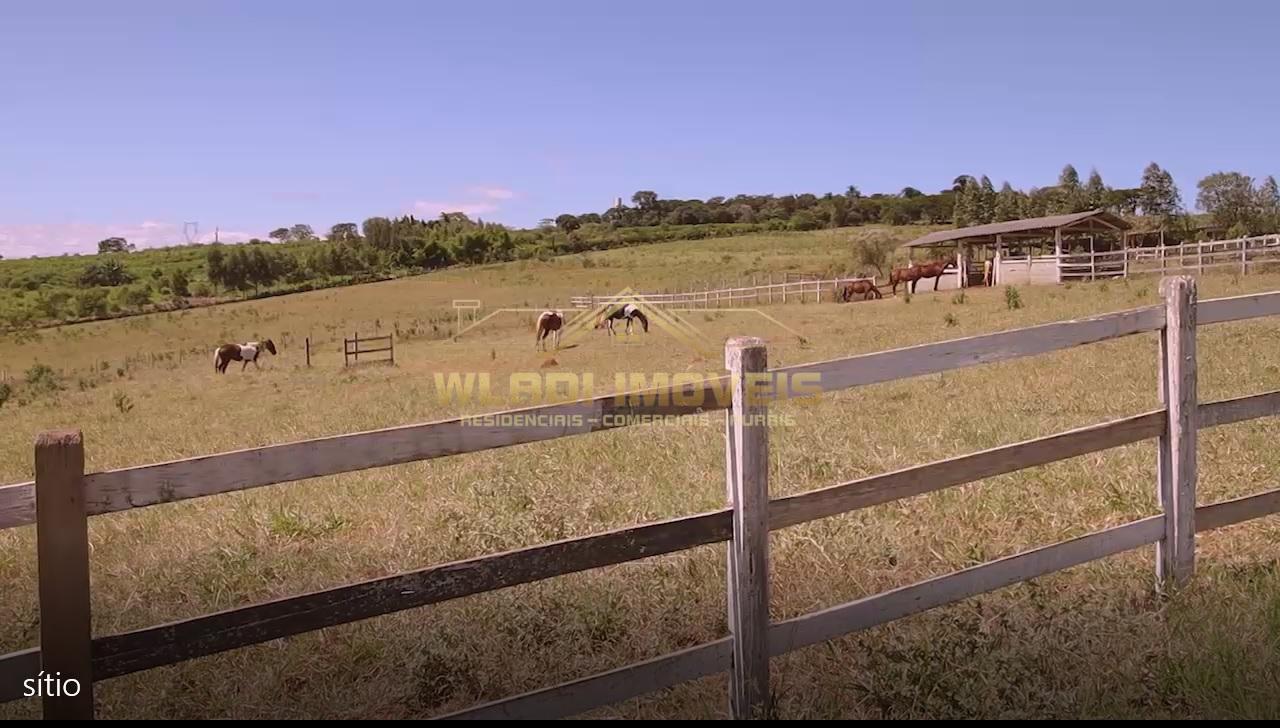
[(62, 555)]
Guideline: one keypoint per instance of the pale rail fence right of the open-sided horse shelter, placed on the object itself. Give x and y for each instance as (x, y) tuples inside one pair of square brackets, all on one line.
[(1238, 255)]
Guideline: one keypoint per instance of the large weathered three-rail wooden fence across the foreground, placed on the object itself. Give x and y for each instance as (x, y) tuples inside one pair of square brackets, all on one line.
[(63, 497)]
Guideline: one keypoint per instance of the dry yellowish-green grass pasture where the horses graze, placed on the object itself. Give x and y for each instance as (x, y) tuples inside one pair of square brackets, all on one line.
[(1092, 642)]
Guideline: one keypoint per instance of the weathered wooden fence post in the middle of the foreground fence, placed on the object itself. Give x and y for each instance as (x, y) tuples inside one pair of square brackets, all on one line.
[(747, 474)]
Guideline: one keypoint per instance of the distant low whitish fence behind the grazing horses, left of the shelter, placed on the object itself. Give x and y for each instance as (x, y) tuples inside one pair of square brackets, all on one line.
[(801, 291)]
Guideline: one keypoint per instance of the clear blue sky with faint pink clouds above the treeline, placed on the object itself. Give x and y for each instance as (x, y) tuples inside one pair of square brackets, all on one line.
[(134, 117)]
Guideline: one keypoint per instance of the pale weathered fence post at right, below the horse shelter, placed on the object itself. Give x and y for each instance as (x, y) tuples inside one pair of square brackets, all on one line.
[(1176, 555)]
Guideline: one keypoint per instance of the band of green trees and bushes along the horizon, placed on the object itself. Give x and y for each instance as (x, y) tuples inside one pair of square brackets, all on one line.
[(122, 281)]
